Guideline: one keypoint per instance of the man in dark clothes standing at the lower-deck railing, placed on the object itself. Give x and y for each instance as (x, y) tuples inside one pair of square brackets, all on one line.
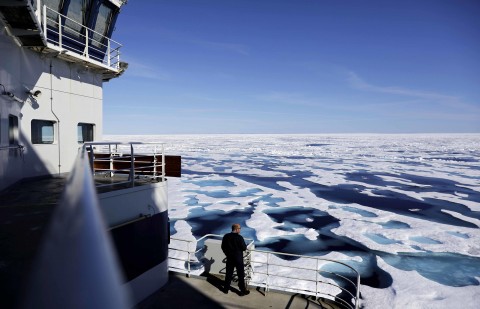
[(233, 246)]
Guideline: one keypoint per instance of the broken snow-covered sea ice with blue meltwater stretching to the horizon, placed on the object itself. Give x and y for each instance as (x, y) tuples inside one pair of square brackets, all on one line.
[(402, 209)]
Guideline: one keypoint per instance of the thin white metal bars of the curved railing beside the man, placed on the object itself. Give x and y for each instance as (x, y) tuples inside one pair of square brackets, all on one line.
[(253, 270)]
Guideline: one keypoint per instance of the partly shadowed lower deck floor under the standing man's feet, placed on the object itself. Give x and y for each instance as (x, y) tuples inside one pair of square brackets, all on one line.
[(205, 292)]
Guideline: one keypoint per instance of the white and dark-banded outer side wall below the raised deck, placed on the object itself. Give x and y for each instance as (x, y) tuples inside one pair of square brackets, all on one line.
[(138, 218)]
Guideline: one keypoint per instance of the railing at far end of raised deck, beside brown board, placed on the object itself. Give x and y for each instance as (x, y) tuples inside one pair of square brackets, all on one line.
[(138, 161)]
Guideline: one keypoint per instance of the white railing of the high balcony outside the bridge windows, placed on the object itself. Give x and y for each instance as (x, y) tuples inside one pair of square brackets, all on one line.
[(65, 34)]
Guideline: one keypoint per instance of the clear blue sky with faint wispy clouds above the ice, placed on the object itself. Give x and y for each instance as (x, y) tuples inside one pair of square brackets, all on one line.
[(296, 66)]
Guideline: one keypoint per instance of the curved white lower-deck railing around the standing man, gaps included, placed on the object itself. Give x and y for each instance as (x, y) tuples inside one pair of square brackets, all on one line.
[(271, 270)]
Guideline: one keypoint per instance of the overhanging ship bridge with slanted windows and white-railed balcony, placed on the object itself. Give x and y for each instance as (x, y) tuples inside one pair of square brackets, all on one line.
[(74, 30)]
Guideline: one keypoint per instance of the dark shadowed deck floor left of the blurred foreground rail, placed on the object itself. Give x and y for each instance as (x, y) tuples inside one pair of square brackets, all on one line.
[(25, 210)]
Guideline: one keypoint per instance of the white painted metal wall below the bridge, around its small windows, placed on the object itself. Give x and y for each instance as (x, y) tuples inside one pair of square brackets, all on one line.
[(70, 94)]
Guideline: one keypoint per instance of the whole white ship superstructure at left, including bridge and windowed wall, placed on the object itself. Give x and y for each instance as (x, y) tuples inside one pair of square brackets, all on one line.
[(55, 56)]
